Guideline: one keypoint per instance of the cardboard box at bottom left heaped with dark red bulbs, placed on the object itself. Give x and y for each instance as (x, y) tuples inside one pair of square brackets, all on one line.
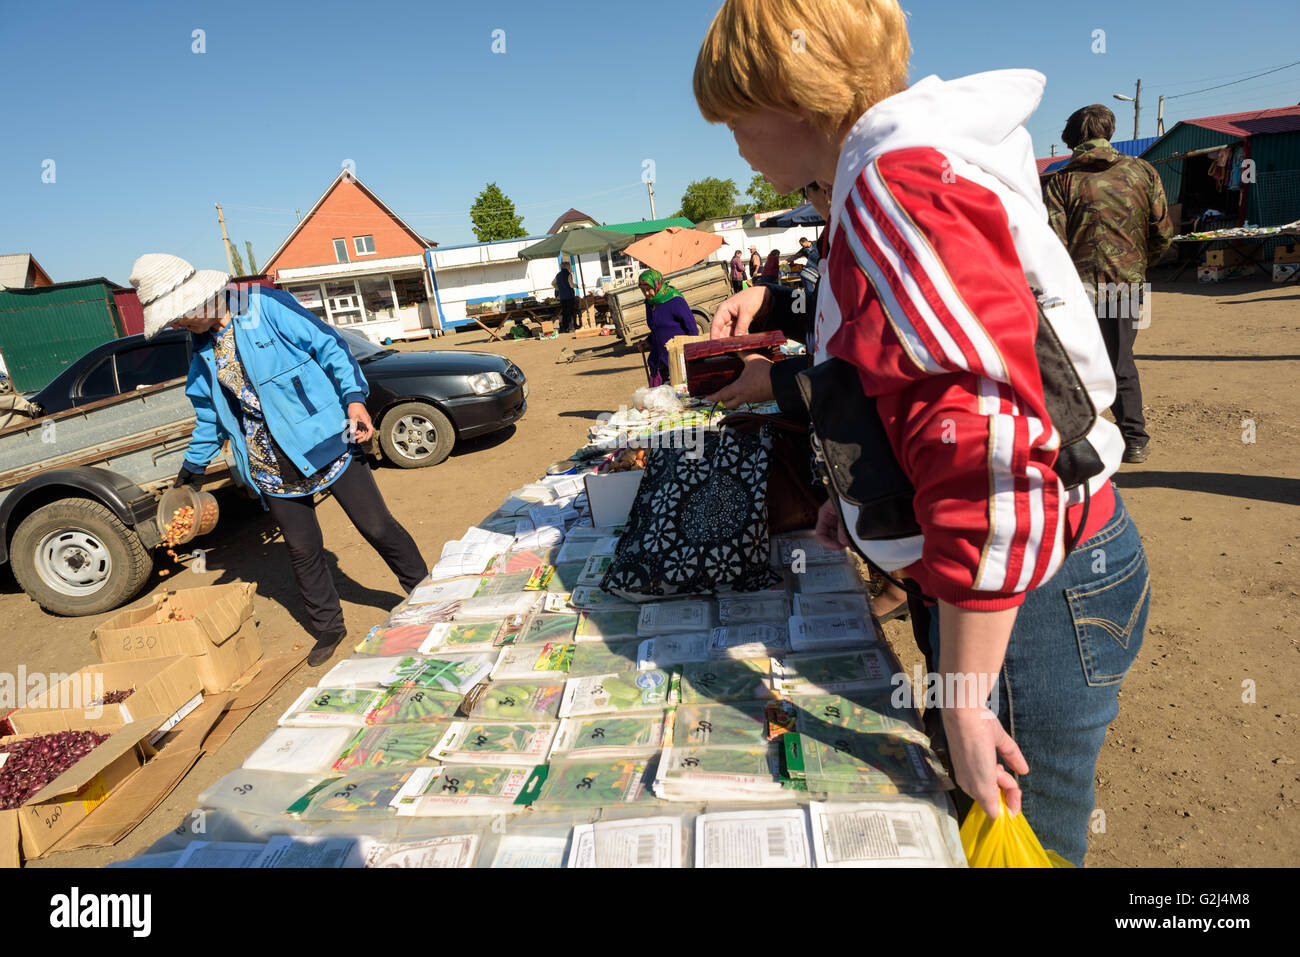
[(49, 816)]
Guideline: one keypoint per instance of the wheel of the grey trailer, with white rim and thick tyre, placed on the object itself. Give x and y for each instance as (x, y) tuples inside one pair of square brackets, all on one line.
[(75, 557)]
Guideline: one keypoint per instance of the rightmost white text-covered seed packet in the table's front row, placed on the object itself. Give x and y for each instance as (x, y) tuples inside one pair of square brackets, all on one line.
[(878, 834)]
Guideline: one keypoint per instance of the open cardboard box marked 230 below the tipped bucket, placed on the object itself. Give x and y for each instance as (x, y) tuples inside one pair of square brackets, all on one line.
[(214, 634)]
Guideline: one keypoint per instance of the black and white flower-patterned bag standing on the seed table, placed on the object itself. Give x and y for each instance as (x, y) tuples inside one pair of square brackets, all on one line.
[(700, 522)]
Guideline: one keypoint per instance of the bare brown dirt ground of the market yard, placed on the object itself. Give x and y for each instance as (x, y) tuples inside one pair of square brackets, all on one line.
[(1201, 768)]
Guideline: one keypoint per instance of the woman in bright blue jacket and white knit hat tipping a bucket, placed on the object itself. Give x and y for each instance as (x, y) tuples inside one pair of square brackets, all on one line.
[(281, 387)]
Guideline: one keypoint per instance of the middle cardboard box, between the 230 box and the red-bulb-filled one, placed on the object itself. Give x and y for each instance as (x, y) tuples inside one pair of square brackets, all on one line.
[(163, 686)]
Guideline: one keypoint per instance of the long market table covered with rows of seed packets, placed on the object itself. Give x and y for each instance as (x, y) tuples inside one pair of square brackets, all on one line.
[(521, 709)]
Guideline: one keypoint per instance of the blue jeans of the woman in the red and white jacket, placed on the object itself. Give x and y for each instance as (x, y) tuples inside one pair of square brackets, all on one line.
[(1074, 640)]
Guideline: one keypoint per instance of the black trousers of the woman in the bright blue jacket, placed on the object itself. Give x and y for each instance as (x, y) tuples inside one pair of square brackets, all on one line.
[(361, 500)]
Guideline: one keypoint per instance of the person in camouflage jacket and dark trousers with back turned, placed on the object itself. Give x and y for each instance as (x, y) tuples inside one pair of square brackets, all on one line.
[(1111, 213)]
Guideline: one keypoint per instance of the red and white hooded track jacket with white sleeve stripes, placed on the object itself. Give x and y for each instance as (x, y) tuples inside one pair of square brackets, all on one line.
[(938, 232)]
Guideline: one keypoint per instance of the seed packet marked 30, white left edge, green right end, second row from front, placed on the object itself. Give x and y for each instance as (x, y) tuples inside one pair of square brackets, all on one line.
[(460, 790)]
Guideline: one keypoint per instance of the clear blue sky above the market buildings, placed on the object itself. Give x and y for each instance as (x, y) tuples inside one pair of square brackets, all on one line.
[(148, 136)]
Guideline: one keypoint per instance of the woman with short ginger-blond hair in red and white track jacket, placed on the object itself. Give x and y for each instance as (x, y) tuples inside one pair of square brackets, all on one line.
[(937, 236)]
